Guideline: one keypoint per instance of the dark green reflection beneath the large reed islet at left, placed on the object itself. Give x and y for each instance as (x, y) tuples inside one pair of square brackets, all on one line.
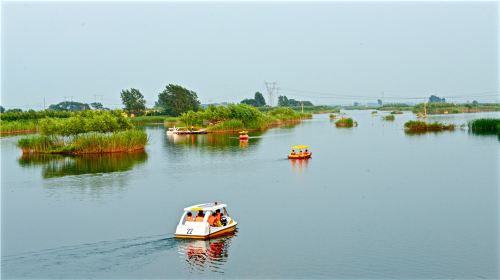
[(59, 166)]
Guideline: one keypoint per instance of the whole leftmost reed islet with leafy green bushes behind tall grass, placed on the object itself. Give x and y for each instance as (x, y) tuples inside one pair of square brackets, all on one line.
[(87, 132)]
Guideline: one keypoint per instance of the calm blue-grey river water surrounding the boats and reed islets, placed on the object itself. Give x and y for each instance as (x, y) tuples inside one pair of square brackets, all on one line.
[(373, 202)]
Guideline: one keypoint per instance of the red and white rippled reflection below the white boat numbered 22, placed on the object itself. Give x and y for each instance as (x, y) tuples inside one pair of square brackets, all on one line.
[(201, 255)]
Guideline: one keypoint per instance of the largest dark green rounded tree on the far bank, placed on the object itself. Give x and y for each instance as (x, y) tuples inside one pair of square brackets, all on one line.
[(175, 100)]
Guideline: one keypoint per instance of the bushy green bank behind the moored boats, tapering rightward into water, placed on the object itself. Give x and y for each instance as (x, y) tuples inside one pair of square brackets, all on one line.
[(235, 117)]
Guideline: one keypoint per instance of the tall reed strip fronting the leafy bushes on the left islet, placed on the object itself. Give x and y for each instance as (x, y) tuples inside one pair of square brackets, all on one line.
[(87, 143)]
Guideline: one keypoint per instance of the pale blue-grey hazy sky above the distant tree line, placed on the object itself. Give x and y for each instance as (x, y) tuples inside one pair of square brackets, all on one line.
[(325, 52)]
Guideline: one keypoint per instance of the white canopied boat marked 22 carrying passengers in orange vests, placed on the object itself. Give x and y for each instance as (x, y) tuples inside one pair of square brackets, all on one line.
[(203, 221)]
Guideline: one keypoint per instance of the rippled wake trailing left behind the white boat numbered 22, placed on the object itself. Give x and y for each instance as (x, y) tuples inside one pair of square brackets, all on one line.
[(87, 260)]
